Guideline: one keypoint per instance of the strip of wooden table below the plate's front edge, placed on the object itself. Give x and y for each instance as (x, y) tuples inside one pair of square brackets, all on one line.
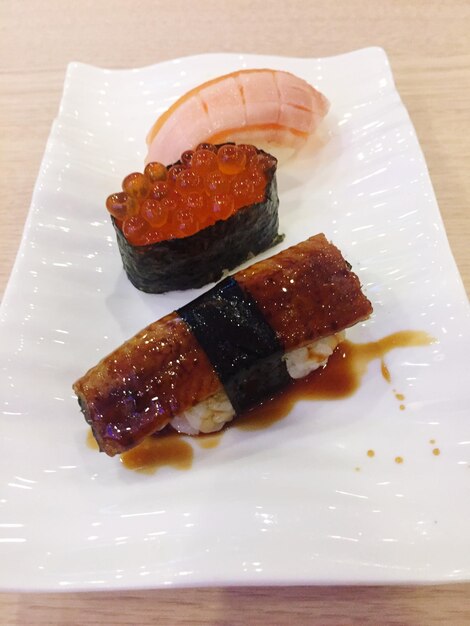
[(413, 606)]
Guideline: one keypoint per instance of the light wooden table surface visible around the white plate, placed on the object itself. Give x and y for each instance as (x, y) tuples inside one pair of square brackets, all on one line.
[(428, 44)]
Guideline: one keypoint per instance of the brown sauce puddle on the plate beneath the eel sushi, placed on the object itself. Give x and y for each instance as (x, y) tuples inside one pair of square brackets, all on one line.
[(339, 379)]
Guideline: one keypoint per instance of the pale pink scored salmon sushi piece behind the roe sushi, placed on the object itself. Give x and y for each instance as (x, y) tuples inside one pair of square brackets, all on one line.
[(271, 109)]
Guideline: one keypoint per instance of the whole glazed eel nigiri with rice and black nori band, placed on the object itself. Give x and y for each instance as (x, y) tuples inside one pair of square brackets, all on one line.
[(227, 350)]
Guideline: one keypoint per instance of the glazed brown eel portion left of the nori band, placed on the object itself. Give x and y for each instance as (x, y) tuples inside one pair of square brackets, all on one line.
[(143, 373)]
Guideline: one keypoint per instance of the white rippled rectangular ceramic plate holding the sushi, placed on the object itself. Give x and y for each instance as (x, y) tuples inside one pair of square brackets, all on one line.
[(300, 502)]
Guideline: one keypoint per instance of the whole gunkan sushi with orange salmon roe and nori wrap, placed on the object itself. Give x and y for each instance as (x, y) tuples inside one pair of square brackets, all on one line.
[(181, 227)]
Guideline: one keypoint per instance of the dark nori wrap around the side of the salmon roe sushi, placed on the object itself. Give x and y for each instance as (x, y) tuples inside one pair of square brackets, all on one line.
[(191, 262)]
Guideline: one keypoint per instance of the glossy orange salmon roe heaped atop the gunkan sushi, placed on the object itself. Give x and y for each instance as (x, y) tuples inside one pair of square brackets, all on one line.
[(209, 183)]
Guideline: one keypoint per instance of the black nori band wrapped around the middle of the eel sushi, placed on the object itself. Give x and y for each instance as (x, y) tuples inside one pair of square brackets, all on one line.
[(239, 342)]
